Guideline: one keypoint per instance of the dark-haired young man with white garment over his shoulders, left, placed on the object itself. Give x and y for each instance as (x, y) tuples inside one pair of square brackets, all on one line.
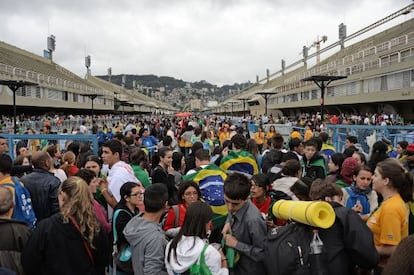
[(120, 172)]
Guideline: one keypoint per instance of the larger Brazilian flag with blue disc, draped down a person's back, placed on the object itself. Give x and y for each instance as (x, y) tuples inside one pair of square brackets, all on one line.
[(211, 179)]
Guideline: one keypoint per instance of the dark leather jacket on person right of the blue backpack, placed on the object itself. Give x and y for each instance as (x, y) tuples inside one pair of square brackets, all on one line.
[(43, 187)]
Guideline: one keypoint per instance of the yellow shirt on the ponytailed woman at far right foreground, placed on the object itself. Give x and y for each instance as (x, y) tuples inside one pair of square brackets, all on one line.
[(389, 223)]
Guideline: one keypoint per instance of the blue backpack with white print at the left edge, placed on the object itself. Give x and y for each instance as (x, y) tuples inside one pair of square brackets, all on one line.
[(23, 209)]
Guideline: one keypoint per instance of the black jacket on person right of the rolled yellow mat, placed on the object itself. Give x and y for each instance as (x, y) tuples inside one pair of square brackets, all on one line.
[(349, 242)]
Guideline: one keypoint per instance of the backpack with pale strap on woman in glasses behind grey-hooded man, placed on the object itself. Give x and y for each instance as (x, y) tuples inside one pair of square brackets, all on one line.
[(121, 258)]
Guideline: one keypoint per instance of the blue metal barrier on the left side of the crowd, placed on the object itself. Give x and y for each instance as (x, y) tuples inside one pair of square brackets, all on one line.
[(60, 140)]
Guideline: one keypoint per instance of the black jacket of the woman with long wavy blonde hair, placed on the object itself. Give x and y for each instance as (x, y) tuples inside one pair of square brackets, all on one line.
[(57, 248)]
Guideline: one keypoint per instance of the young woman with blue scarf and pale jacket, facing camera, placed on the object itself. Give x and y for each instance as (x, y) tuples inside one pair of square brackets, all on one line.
[(359, 196)]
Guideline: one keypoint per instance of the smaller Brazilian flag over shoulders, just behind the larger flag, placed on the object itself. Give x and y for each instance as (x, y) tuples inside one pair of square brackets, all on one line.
[(241, 161)]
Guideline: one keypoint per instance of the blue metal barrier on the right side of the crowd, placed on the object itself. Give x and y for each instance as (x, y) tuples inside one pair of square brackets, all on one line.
[(339, 132)]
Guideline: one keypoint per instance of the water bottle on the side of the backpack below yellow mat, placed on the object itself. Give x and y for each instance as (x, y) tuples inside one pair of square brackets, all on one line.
[(318, 255)]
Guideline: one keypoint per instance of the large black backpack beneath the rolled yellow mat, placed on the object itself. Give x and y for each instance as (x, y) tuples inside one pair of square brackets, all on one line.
[(287, 250)]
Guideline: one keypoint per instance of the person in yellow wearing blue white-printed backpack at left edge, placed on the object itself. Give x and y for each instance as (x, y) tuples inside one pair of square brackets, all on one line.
[(23, 209)]
